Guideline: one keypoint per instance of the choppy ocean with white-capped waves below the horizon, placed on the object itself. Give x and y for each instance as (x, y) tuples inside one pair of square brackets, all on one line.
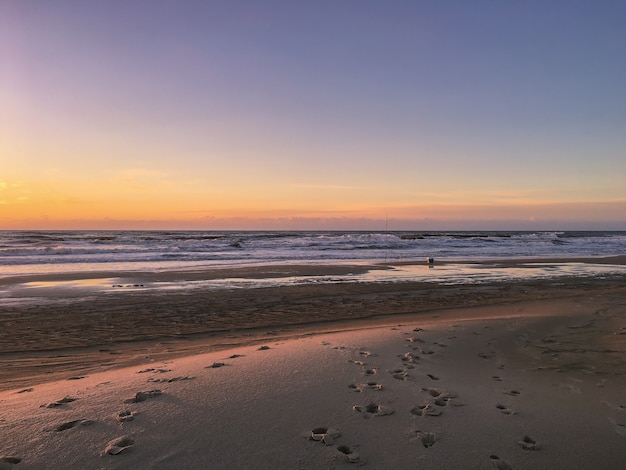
[(36, 252)]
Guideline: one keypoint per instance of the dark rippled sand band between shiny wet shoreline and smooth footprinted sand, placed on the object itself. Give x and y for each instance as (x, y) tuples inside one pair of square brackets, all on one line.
[(57, 339)]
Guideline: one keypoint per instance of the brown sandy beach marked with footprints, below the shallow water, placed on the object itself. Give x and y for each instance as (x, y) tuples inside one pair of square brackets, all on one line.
[(513, 374)]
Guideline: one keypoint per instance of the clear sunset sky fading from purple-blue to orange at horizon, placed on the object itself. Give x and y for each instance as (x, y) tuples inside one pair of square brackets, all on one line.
[(345, 114)]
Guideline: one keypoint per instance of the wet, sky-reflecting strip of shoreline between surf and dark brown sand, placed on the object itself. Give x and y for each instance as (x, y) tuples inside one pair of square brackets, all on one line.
[(52, 287)]
